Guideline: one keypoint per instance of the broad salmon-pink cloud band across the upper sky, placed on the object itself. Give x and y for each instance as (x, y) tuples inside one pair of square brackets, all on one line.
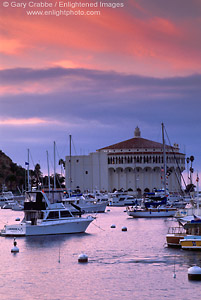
[(119, 39)]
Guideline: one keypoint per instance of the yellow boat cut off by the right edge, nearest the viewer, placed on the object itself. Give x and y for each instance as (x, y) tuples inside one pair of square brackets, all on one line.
[(192, 240)]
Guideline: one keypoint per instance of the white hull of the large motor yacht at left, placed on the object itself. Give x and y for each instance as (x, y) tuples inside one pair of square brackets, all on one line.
[(47, 228)]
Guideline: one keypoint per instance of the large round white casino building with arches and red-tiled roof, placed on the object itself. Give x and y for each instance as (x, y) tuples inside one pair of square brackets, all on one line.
[(135, 164)]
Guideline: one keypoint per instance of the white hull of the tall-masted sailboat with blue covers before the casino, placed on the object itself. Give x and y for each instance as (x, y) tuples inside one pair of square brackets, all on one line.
[(151, 212)]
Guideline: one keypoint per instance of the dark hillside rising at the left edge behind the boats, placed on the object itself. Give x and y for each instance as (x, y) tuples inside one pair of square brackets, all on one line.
[(11, 175)]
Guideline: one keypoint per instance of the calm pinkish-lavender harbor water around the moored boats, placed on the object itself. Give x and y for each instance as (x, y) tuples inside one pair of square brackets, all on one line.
[(122, 265)]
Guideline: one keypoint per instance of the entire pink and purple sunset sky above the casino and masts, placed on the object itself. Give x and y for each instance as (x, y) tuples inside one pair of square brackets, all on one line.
[(97, 77)]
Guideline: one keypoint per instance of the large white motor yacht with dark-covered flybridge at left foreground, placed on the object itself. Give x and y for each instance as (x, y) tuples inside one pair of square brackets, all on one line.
[(44, 218)]
